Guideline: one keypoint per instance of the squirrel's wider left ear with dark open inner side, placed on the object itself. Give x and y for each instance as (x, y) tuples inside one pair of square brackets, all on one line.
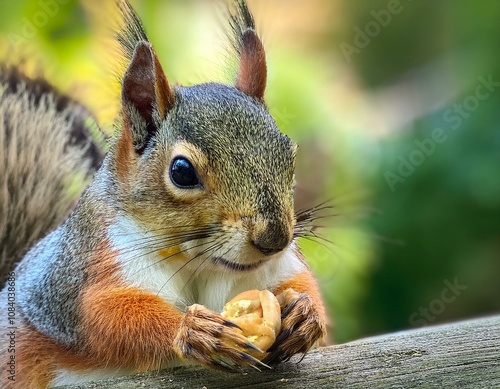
[(145, 88)]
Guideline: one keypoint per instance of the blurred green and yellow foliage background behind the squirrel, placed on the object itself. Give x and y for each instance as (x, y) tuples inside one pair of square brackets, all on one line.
[(395, 105)]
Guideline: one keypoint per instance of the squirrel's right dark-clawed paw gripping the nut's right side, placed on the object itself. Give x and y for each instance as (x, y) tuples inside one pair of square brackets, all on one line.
[(301, 327)]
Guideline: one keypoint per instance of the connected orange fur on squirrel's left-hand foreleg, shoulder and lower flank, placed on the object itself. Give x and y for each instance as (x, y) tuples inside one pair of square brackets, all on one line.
[(120, 326)]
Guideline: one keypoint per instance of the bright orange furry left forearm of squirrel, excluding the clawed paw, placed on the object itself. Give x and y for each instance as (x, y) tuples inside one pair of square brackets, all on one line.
[(128, 327)]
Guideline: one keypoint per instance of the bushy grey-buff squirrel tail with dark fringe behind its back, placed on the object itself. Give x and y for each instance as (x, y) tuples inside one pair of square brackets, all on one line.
[(50, 146)]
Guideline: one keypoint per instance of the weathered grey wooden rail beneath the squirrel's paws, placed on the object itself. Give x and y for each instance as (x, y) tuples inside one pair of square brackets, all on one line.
[(465, 354)]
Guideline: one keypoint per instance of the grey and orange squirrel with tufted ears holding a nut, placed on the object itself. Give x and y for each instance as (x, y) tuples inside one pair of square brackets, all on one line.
[(191, 205)]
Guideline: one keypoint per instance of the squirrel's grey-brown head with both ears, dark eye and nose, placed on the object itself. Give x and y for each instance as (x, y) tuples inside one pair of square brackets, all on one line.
[(206, 166)]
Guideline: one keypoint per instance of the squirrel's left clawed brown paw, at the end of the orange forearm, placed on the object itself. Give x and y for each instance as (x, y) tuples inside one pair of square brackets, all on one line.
[(206, 337)]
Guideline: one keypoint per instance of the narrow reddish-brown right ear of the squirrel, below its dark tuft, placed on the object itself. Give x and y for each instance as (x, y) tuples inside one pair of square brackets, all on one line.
[(252, 73)]
